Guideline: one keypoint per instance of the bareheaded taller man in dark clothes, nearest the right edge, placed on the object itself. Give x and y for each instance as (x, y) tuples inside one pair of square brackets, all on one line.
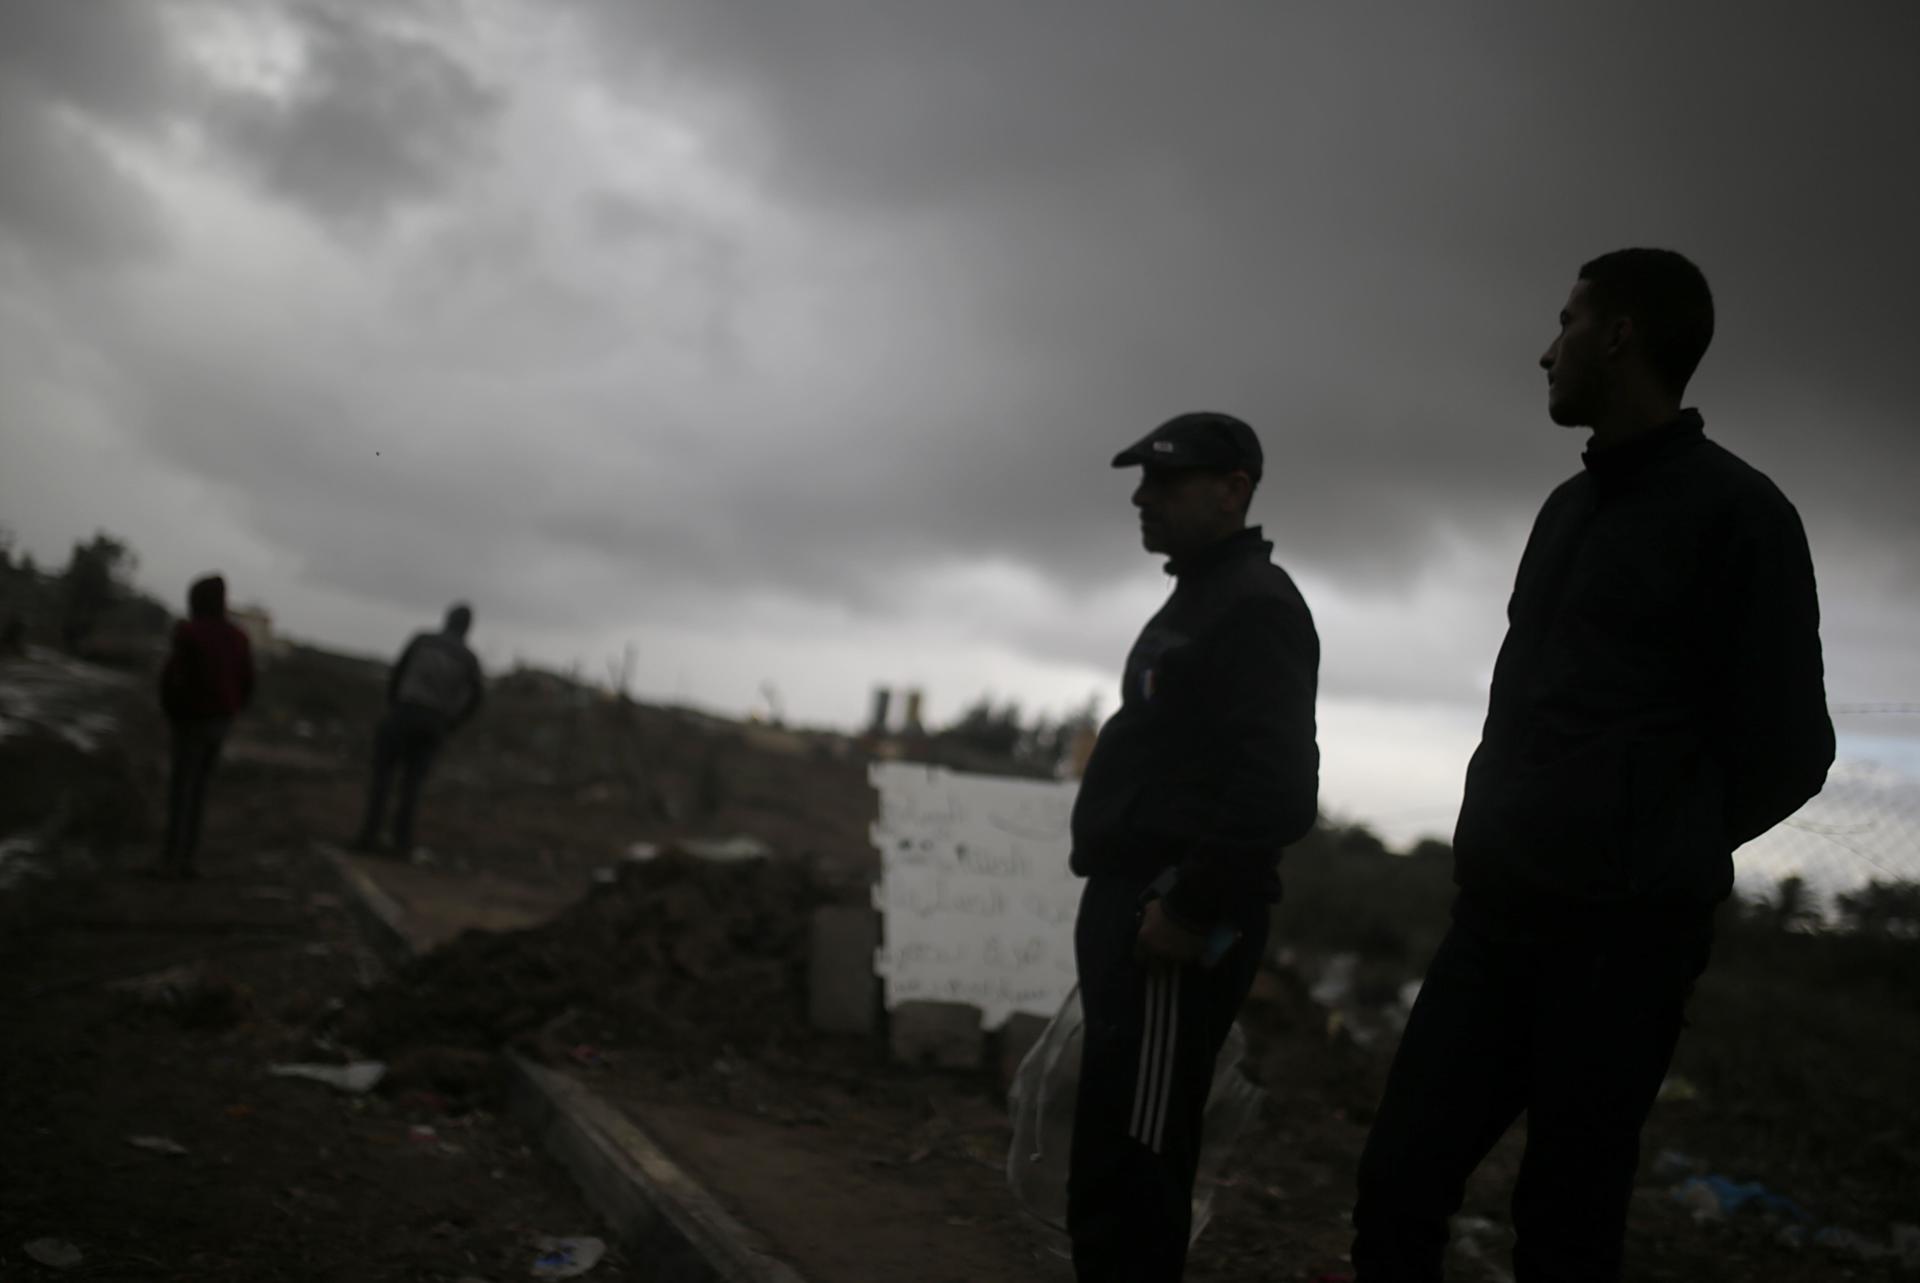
[(1656, 704)]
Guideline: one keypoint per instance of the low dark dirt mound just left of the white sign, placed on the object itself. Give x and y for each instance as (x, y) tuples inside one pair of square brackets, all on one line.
[(679, 954)]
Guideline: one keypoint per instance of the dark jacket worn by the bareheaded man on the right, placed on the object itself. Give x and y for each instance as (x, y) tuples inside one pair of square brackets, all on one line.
[(1660, 696)]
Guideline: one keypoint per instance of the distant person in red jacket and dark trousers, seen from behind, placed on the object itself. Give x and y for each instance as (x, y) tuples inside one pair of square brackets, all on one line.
[(206, 683)]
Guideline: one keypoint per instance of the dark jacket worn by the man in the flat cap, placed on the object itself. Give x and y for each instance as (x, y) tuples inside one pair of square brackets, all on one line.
[(1211, 762)]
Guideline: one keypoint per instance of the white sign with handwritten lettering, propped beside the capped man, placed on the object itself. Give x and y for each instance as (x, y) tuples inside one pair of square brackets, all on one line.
[(974, 890)]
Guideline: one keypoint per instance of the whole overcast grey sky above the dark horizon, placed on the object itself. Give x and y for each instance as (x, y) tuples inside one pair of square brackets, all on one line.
[(792, 343)]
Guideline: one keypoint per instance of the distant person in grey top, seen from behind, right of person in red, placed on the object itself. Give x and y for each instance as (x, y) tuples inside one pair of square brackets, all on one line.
[(433, 690)]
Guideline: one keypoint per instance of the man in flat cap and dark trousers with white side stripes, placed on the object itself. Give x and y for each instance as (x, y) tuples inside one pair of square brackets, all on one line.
[(1193, 788)]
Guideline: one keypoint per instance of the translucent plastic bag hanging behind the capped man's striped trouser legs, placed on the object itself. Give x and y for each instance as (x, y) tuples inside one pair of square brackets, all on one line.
[(1042, 1103)]
